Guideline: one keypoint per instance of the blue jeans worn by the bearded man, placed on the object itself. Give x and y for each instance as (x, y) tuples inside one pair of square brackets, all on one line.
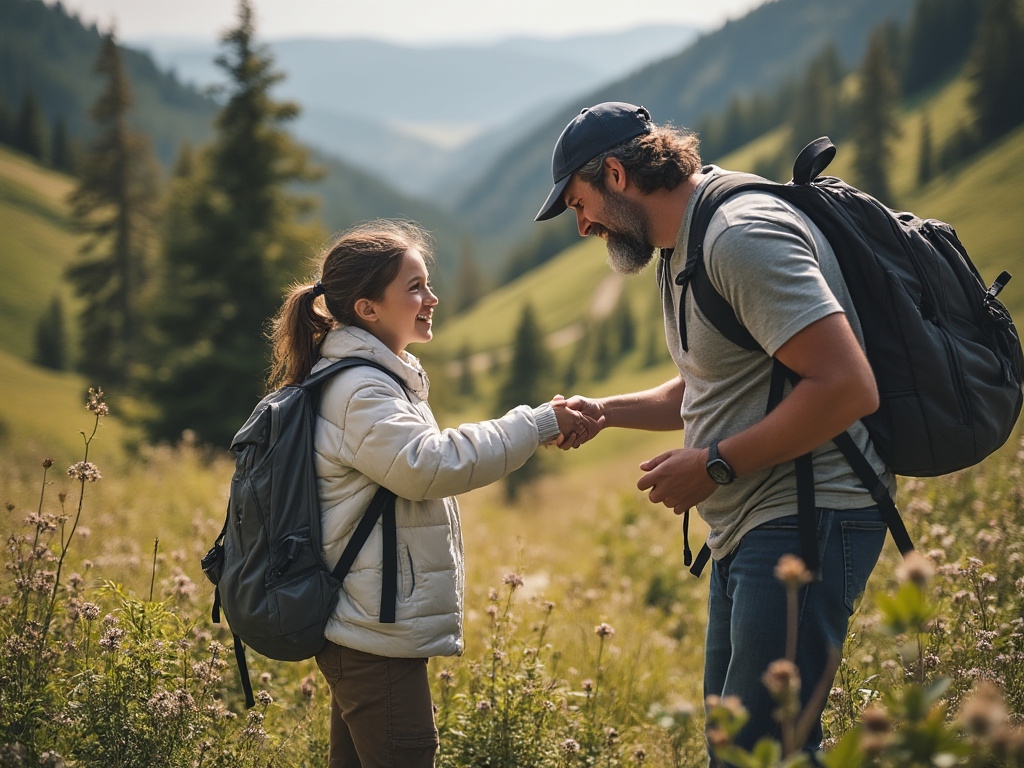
[(747, 611)]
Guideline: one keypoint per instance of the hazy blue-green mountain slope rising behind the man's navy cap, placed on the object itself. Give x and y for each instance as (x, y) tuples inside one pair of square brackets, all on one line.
[(754, 54)]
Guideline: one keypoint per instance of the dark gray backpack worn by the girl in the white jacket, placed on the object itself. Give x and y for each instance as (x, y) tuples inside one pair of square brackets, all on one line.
[(272, 582)]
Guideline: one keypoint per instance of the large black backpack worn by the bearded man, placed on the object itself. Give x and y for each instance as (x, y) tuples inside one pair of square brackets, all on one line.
[(946, 354)]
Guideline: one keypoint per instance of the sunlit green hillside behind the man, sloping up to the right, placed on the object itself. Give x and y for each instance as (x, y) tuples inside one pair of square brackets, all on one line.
[(982, 200)]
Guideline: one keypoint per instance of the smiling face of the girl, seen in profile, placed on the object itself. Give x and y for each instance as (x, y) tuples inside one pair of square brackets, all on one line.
[(405, 313)]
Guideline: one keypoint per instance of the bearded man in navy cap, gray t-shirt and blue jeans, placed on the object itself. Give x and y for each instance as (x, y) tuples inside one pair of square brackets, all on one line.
[(636, 186)]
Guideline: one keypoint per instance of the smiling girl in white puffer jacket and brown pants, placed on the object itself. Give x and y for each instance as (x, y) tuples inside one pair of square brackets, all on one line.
[(372, 301)]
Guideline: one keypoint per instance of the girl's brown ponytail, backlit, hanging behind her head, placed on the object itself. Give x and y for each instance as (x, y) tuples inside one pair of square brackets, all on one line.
[(296, 333)]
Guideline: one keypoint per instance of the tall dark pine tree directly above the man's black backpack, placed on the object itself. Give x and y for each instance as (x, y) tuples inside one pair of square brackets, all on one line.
[(875, 116)]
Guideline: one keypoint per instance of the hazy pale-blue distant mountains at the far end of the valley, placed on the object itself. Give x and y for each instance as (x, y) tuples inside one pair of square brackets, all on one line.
[(407, 113)]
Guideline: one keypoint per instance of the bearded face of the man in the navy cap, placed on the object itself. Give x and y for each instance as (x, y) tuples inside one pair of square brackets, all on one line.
[(618, 220)]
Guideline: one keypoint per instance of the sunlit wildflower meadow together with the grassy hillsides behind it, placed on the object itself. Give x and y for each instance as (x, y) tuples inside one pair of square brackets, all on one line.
[(584, 631)]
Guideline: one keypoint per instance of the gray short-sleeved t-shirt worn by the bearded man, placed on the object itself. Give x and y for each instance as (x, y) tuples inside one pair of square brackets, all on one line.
[(780, 275)]
